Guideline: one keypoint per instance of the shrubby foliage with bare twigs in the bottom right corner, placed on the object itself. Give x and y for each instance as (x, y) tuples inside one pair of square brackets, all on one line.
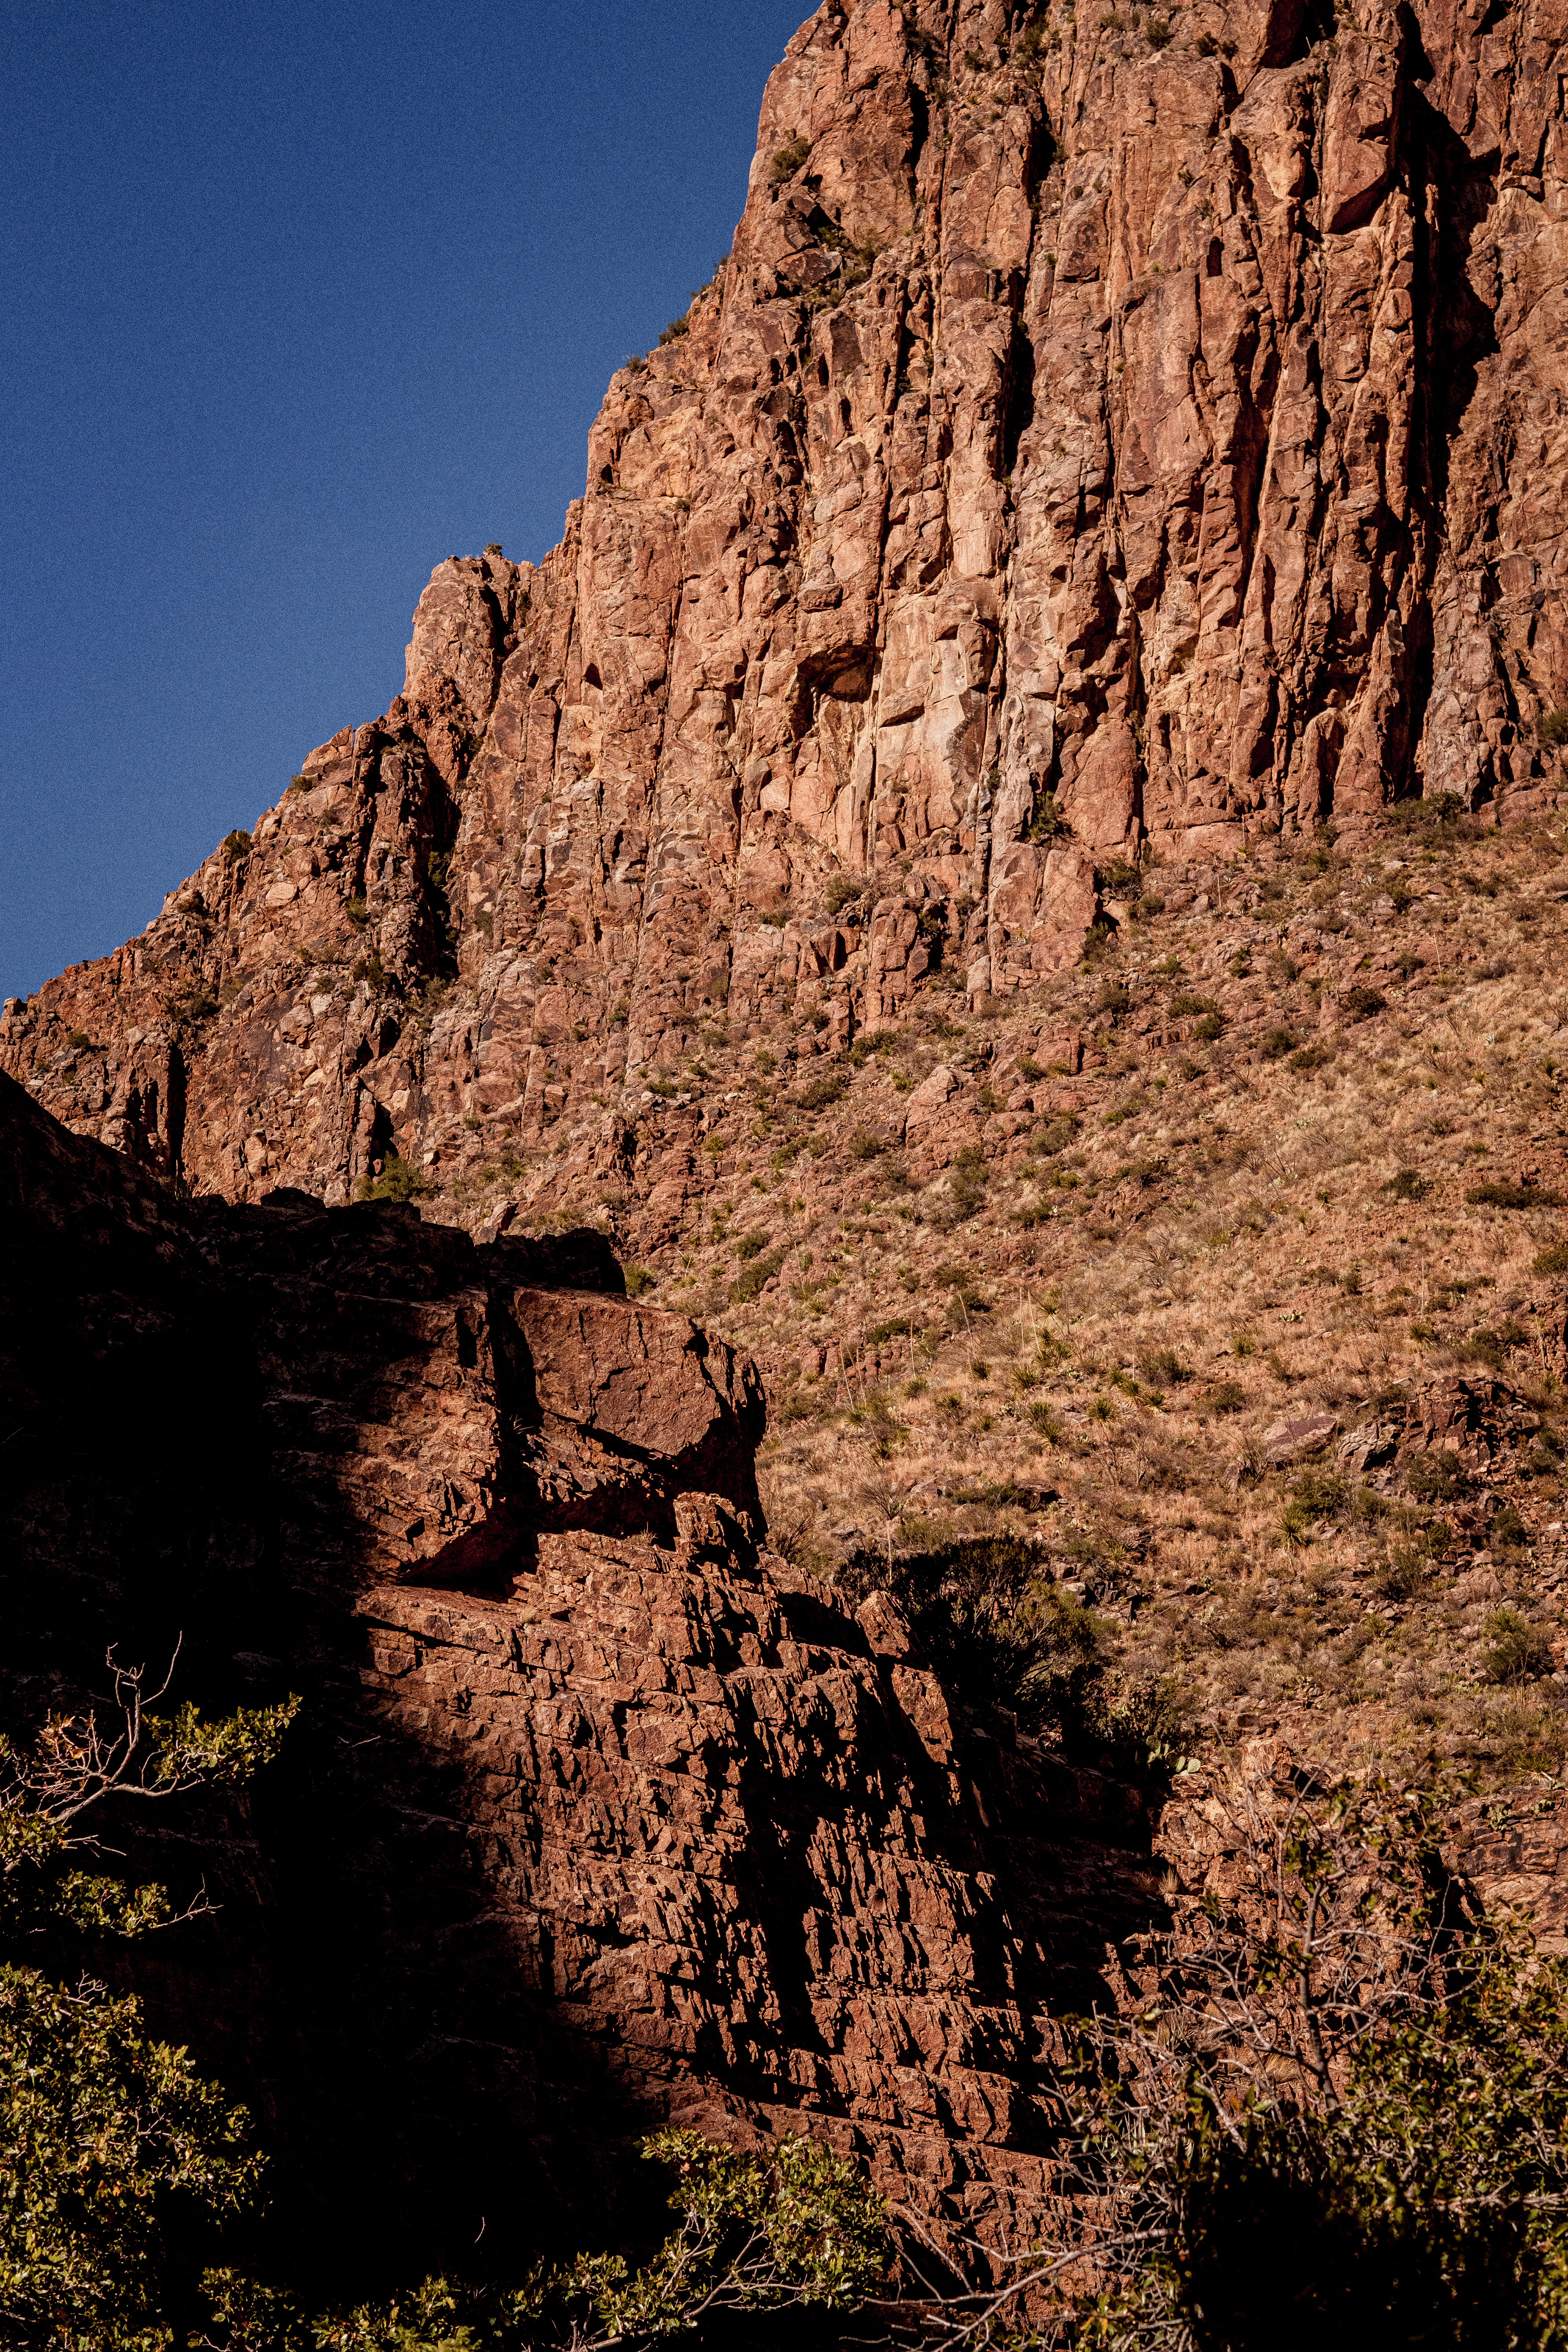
[(1341, 2111)]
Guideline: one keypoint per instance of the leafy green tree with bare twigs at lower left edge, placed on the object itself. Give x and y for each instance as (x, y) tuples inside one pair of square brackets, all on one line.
[(102, 2127)]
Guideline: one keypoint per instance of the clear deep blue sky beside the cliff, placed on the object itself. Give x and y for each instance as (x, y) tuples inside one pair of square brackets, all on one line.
[(297, 300)]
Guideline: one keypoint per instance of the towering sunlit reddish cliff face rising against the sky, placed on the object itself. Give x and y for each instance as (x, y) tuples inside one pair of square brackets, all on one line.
[(1104, 429)]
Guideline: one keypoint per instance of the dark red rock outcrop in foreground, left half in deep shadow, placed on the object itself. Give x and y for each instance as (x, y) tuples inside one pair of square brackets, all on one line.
[(598, 1815)]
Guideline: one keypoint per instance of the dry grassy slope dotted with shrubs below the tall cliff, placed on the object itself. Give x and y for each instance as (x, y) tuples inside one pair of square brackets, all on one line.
[(1285, 1151)]
